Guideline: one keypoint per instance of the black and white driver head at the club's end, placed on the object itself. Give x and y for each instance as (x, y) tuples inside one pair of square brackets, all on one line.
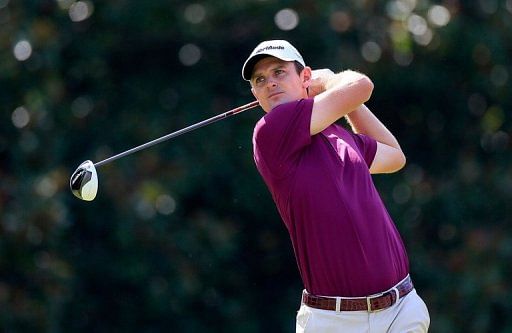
[(84, 181)]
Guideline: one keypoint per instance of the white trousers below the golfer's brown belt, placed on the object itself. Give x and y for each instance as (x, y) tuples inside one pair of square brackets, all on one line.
[(408, 315)]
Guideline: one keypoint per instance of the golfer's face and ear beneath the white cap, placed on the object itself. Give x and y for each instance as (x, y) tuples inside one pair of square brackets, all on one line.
[(275, 82)]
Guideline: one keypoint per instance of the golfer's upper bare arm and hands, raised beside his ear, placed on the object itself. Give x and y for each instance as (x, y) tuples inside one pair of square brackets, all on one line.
[(336, 95)]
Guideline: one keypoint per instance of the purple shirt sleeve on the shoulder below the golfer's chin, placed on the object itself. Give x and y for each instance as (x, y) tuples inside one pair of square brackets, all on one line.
[(280, 136)]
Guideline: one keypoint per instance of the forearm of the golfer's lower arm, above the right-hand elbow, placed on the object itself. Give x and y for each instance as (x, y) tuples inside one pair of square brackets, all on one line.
[(362, 120)]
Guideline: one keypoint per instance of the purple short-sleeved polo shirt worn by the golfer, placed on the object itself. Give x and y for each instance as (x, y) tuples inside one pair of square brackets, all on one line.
[(344, 240)]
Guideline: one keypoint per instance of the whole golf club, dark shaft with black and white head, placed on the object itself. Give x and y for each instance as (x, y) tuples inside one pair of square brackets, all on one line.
[(84, 181)]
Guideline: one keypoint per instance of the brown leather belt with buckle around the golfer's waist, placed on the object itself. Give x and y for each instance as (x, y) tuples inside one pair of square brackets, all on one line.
[(371, 303)]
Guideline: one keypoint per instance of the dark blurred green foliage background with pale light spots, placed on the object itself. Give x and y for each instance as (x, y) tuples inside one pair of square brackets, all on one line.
[(184, 237)]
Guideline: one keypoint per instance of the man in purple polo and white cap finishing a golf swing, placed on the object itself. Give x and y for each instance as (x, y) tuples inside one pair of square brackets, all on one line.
[(351, 258)]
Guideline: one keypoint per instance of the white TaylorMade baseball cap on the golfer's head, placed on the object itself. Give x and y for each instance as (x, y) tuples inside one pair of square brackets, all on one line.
[(276, 48)]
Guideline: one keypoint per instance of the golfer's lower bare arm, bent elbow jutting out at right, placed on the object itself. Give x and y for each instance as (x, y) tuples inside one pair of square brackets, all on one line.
[(389, 156)]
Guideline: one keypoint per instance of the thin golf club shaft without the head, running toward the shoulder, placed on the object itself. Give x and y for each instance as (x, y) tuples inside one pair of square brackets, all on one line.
[(179, 132)]
